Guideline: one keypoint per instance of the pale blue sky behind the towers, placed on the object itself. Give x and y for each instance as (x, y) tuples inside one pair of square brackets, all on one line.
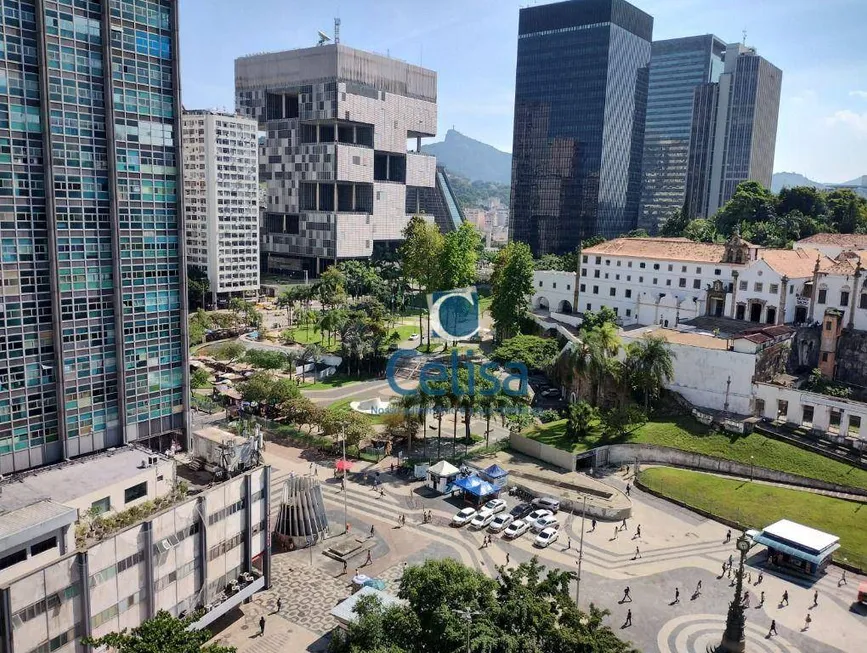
[(819, 45)]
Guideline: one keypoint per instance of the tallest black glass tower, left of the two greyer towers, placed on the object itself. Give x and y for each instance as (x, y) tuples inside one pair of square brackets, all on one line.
[(580, 101)]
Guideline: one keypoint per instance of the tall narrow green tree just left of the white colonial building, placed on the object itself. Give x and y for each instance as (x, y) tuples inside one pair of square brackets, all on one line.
[(512, 288)]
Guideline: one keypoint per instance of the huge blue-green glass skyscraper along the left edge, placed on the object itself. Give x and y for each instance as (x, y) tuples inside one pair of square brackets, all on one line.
[(93, 343)]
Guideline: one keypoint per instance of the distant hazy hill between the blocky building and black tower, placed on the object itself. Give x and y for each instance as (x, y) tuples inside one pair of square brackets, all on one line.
[(471, 159)]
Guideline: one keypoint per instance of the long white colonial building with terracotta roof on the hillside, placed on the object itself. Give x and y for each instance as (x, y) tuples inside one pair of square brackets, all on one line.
[(667, 281)]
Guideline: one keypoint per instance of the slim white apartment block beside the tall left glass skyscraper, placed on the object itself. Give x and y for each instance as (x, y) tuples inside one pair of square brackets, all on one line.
[(221, 199)]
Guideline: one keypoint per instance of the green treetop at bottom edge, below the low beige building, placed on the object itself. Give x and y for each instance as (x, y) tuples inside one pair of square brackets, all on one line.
[(162, 634)]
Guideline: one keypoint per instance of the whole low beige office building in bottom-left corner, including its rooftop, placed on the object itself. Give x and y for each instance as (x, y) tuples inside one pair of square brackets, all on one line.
[(210, 550)]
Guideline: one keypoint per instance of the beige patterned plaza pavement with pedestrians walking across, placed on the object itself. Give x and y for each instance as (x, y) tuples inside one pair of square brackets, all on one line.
[(678, 549)]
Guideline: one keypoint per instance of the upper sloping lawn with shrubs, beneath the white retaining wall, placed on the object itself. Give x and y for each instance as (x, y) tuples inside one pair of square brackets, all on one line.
[(688, 435)]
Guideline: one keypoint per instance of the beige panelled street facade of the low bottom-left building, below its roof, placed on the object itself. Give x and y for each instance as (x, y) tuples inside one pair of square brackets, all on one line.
[(176, 560)]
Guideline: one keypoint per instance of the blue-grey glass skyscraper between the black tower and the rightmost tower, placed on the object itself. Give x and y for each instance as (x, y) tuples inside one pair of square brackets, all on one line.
[(677, 67)]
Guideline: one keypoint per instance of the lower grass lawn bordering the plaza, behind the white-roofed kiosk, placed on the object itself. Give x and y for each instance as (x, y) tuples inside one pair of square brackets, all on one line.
[(756, 505)]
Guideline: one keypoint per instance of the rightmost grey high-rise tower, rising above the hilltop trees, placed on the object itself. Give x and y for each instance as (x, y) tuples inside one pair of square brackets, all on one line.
[(734, 130)]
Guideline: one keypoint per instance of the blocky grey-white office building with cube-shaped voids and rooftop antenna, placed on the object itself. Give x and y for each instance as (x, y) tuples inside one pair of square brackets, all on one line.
[(340, 181)]
